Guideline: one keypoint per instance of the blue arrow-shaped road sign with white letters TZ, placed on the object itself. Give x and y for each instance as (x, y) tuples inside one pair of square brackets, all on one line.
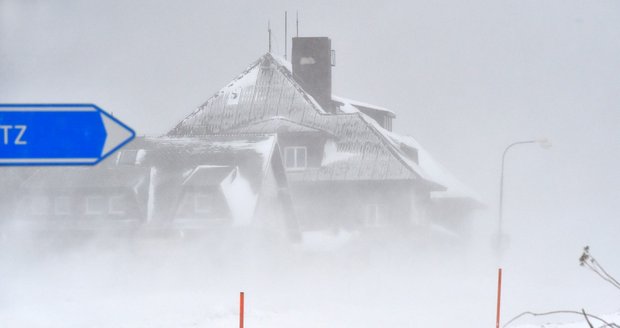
[(59, 134)]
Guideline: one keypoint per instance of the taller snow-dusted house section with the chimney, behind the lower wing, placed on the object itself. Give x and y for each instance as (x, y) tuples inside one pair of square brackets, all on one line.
[(344, 166)]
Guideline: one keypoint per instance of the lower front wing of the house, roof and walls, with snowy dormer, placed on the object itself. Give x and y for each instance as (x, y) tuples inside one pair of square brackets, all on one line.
[(215, 181)]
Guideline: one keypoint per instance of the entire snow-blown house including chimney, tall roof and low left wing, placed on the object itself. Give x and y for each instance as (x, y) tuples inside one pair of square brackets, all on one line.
[(274, 148)]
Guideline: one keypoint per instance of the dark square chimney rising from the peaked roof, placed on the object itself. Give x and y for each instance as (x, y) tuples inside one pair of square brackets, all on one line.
[(312, 68)]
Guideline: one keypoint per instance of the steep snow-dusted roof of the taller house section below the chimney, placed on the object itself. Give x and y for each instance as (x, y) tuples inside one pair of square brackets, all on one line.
[(268, 99)]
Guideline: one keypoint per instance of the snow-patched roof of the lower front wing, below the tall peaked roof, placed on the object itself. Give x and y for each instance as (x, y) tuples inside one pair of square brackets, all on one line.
[(237, 164)]
